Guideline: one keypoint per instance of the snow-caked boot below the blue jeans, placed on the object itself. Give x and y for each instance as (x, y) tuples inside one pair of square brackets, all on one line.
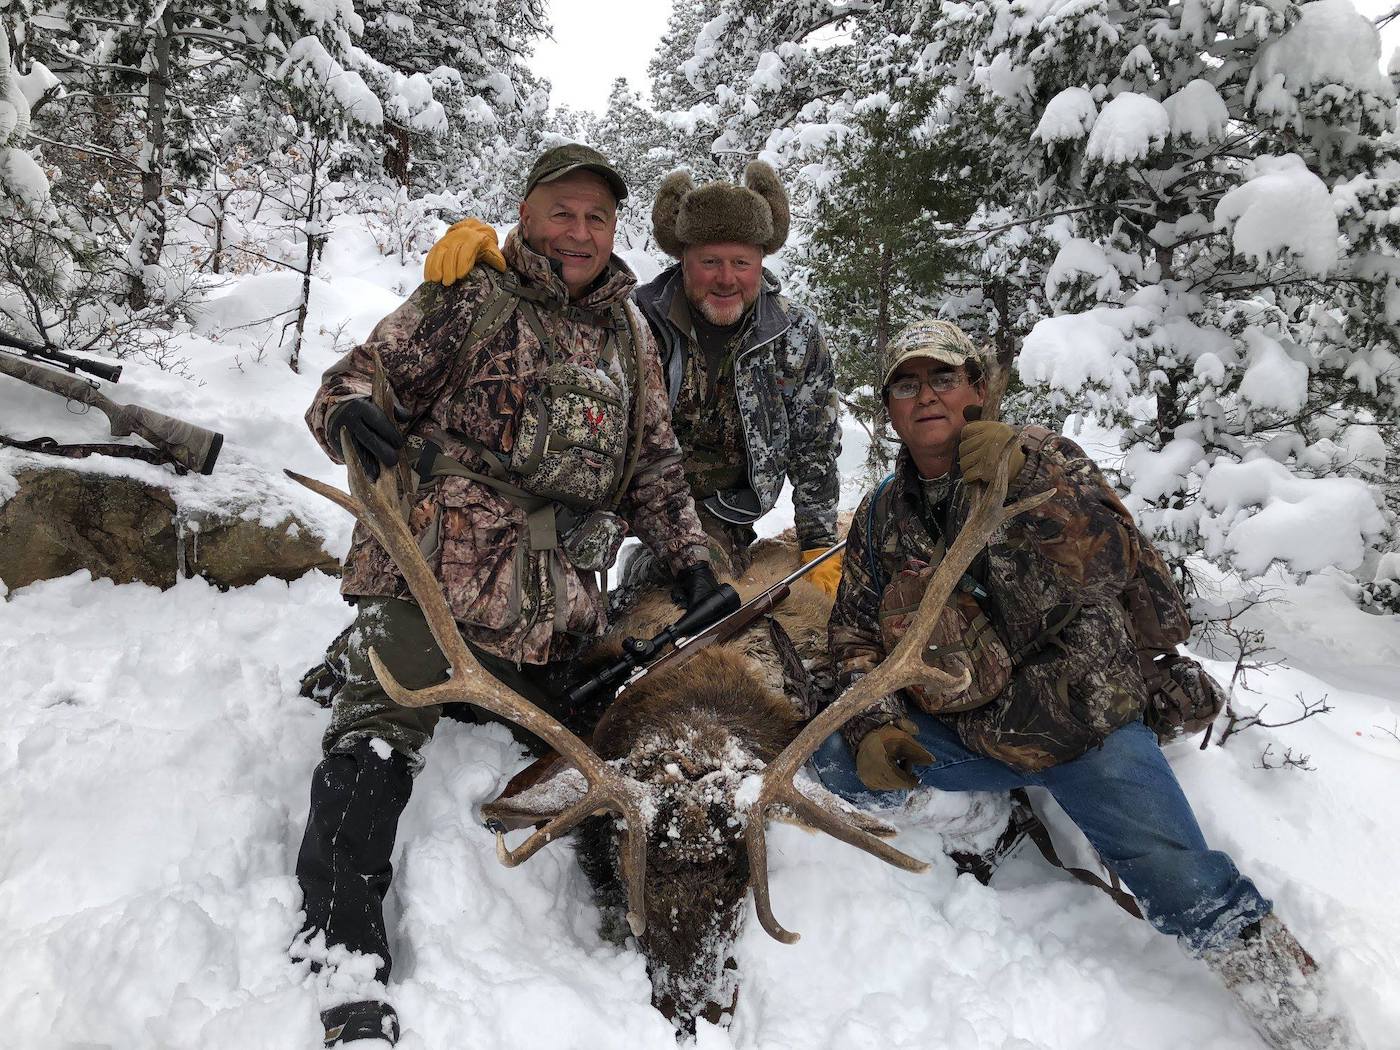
[(1277, 985)]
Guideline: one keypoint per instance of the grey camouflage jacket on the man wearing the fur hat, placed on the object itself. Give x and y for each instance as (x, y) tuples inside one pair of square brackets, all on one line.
[(786, 390)]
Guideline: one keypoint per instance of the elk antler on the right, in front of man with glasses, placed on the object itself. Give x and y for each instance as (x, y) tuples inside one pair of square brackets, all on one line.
[(905, 667)]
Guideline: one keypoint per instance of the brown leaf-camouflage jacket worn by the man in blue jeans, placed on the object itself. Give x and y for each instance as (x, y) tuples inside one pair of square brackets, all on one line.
[(1080, 549)]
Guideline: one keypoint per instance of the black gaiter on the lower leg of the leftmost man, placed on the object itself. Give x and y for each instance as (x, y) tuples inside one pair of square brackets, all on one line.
[(344, 866)]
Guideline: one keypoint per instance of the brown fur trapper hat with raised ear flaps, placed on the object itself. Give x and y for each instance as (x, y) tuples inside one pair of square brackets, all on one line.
[(720, 212)]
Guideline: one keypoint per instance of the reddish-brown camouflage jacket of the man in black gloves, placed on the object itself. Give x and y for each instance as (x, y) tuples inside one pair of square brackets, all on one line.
[(520, 604)]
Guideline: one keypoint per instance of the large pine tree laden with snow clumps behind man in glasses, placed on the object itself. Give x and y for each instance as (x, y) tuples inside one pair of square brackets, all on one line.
[(1188, 169)]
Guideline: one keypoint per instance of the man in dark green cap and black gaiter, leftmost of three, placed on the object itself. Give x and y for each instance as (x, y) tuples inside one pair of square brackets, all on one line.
[(523, 607)]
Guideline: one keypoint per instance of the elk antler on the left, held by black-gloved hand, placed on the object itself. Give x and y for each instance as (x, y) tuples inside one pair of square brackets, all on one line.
[(377, 506)]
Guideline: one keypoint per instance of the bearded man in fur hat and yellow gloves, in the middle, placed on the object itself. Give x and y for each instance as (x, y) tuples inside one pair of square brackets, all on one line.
[(748, 374)]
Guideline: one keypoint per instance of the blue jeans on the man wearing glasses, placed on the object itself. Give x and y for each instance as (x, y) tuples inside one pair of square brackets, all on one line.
[(1123, 797)]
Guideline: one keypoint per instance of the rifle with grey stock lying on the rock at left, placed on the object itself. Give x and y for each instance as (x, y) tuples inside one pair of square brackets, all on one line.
[(185, 444)]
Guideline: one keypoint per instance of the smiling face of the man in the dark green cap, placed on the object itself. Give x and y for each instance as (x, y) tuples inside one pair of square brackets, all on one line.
[(572, 220)]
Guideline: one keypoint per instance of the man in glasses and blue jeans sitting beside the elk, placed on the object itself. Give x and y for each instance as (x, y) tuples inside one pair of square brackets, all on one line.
[(1056, 698)]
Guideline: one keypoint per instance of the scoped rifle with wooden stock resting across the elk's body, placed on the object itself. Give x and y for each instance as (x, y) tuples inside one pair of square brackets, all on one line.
[(722, 612)]
